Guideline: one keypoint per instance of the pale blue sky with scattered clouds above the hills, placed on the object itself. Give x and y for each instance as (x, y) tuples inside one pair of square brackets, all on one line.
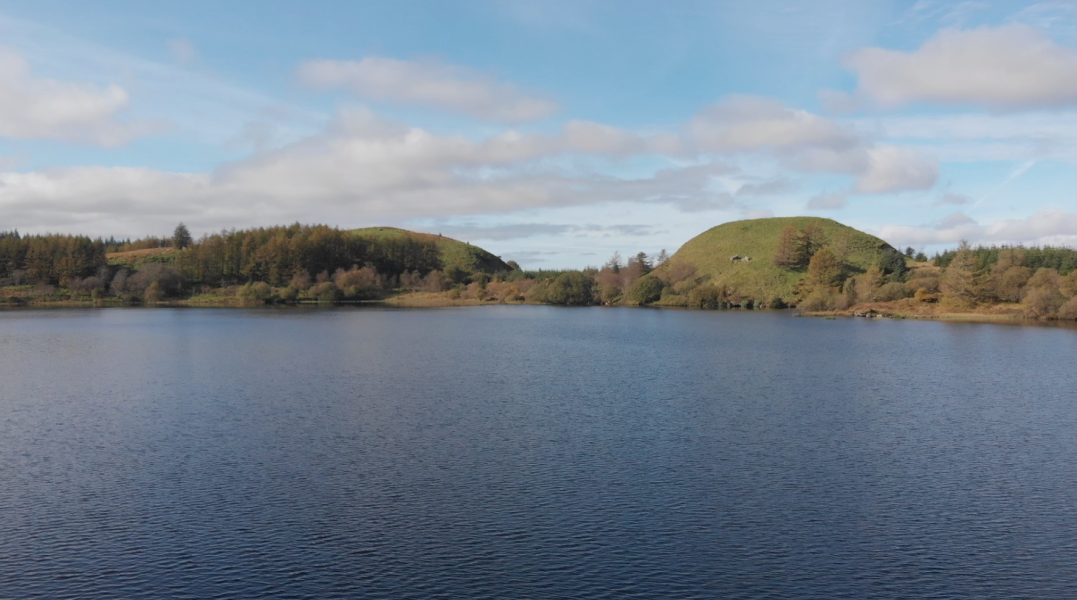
[(551, 133)]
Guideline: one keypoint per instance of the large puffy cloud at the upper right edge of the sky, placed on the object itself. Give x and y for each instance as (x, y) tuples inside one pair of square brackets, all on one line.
[(1011, 67)]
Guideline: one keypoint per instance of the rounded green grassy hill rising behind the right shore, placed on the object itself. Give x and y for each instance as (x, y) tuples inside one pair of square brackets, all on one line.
[(710, 254)]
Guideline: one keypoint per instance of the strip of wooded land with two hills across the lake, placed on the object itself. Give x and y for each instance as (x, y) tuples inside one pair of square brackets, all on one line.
[(816, 266)]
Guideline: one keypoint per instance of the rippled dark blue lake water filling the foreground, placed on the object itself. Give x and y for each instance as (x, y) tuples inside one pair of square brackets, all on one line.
[(534, 453)]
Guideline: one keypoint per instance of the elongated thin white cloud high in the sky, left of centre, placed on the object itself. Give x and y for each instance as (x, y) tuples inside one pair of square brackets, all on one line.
[(437, 85)]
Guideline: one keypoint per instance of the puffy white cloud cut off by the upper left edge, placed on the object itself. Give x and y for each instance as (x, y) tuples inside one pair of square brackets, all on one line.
[(36, 108)]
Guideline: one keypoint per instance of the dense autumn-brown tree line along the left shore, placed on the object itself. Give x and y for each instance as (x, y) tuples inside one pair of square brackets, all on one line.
[(301, 257)]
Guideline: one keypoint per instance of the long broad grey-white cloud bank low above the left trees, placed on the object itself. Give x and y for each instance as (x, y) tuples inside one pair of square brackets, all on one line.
[(361, 166)]
